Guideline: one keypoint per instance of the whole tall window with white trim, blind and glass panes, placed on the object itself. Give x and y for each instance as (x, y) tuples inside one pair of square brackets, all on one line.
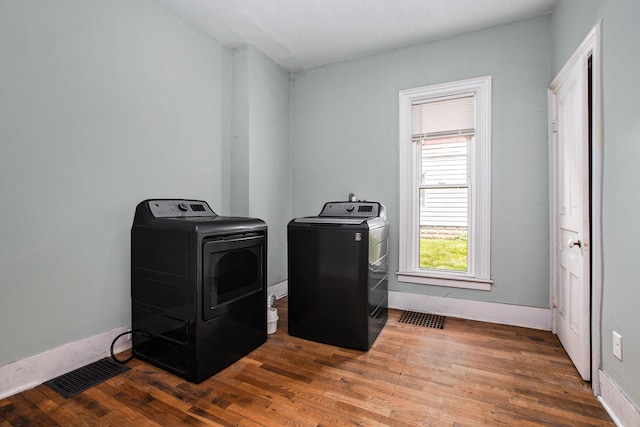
[(445, 184)]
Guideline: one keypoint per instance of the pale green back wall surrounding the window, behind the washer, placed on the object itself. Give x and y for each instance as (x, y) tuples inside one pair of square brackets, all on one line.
[(345, 139)]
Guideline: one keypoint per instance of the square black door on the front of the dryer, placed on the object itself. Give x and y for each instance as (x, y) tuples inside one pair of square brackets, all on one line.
[(233, 269)]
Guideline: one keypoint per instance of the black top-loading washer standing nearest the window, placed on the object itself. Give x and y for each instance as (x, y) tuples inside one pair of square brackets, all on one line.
[(338, 281)]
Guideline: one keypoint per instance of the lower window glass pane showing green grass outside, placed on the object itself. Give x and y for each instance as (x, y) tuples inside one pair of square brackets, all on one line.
[(444, 228)]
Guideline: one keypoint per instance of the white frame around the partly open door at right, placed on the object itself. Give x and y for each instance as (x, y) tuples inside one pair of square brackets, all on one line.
[(590, 46)]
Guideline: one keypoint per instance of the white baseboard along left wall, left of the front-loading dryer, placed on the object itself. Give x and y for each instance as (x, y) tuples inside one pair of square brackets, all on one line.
[(32, 371)]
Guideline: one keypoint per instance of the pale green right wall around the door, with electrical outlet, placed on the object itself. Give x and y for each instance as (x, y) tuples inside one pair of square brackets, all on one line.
[(572, 20)]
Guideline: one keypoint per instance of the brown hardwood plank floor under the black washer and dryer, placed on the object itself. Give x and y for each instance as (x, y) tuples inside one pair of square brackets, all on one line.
[(469, 374)]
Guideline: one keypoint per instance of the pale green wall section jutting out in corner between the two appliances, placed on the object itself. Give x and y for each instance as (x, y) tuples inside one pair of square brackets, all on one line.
[(260, 185)]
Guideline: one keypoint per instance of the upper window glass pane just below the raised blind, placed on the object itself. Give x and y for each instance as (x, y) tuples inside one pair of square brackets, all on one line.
[(444, 161)]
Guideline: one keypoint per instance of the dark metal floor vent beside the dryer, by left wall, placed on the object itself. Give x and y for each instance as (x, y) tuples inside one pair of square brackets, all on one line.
[(81, 379)]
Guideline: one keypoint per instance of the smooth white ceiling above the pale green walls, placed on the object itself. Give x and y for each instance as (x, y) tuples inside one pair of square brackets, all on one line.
[(302, 34)]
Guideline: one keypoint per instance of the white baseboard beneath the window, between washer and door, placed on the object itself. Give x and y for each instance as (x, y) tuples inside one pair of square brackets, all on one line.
[(506, 314)]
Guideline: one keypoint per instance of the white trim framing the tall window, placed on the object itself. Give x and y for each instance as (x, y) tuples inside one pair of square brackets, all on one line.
[(478, 275)]
